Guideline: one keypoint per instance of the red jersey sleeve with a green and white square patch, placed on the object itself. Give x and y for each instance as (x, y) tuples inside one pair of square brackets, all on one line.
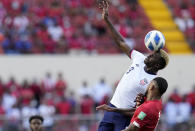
[(142, 118)]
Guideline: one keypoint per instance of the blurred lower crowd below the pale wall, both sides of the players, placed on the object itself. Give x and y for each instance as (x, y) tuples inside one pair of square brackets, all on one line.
[(49, 97)]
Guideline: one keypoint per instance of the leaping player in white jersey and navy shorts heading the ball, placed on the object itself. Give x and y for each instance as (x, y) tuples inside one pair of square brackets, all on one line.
[(135, 80)]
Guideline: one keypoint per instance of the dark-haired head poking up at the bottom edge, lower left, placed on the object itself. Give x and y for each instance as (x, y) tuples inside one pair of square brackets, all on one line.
[(36, 123)]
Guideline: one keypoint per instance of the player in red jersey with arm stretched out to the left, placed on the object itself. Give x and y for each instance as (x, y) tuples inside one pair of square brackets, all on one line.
[(147, 115)]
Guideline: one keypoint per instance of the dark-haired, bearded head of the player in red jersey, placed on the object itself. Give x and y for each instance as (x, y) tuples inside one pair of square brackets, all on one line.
[(157, 87)]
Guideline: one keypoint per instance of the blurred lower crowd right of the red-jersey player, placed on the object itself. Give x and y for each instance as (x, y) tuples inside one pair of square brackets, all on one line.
[(179, 111)]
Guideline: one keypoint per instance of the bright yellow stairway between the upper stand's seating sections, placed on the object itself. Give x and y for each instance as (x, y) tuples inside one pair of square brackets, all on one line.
[(162, 20)]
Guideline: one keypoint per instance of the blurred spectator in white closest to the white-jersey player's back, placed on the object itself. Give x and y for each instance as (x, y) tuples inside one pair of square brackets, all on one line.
[(102, 90)]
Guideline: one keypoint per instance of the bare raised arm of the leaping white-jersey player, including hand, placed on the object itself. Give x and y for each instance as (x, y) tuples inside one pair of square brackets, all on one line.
[(103, 4)]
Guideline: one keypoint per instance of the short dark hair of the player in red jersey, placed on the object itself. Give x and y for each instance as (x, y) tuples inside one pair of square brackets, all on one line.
[(161, 84)]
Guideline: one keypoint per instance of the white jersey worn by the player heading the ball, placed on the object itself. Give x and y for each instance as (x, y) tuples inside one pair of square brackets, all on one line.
[(133, 82)]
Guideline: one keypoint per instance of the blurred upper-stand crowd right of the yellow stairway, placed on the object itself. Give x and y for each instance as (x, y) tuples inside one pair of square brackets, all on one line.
[(184, 15)]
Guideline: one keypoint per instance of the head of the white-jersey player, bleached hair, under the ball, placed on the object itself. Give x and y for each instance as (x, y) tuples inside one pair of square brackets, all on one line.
[(157, 60)]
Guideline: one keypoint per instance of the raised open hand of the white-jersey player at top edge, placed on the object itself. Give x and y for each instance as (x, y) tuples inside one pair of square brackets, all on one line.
[(104, 5)]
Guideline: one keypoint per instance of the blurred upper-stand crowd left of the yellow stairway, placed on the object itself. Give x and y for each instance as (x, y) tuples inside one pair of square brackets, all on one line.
[(63, 26)]
